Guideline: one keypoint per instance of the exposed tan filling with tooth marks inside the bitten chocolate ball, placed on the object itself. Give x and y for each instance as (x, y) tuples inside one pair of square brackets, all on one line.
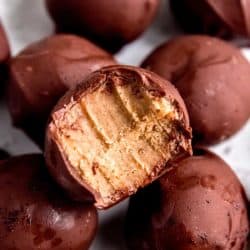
[(118, 140)]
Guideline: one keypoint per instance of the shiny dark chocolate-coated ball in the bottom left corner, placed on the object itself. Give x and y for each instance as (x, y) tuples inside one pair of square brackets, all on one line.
[(35, 214)]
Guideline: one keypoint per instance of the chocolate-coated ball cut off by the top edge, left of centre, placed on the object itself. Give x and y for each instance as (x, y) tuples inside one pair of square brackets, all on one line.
[(109, 23)]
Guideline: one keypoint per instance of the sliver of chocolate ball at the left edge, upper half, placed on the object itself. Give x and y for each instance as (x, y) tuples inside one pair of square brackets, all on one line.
[(4, 56)]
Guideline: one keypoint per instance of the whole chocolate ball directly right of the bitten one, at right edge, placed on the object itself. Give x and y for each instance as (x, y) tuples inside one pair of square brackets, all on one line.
[(212, 77)]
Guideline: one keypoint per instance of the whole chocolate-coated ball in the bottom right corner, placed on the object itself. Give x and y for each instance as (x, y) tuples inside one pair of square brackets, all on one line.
[(198, 205)]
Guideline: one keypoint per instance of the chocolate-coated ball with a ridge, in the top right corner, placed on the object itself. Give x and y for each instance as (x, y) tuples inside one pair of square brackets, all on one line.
[(224, 18)]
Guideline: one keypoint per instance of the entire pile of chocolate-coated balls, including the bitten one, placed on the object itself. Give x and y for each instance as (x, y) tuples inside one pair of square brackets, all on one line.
[(109, 131)]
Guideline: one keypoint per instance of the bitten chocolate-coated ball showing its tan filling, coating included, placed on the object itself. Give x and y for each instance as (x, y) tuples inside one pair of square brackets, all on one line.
[(115, 133)]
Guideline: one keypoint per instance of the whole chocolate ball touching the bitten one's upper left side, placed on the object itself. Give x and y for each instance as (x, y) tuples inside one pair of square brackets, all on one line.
[(43, 72)]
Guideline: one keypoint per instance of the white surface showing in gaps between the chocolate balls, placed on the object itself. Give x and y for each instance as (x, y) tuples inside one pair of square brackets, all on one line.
[(26, 21)]
